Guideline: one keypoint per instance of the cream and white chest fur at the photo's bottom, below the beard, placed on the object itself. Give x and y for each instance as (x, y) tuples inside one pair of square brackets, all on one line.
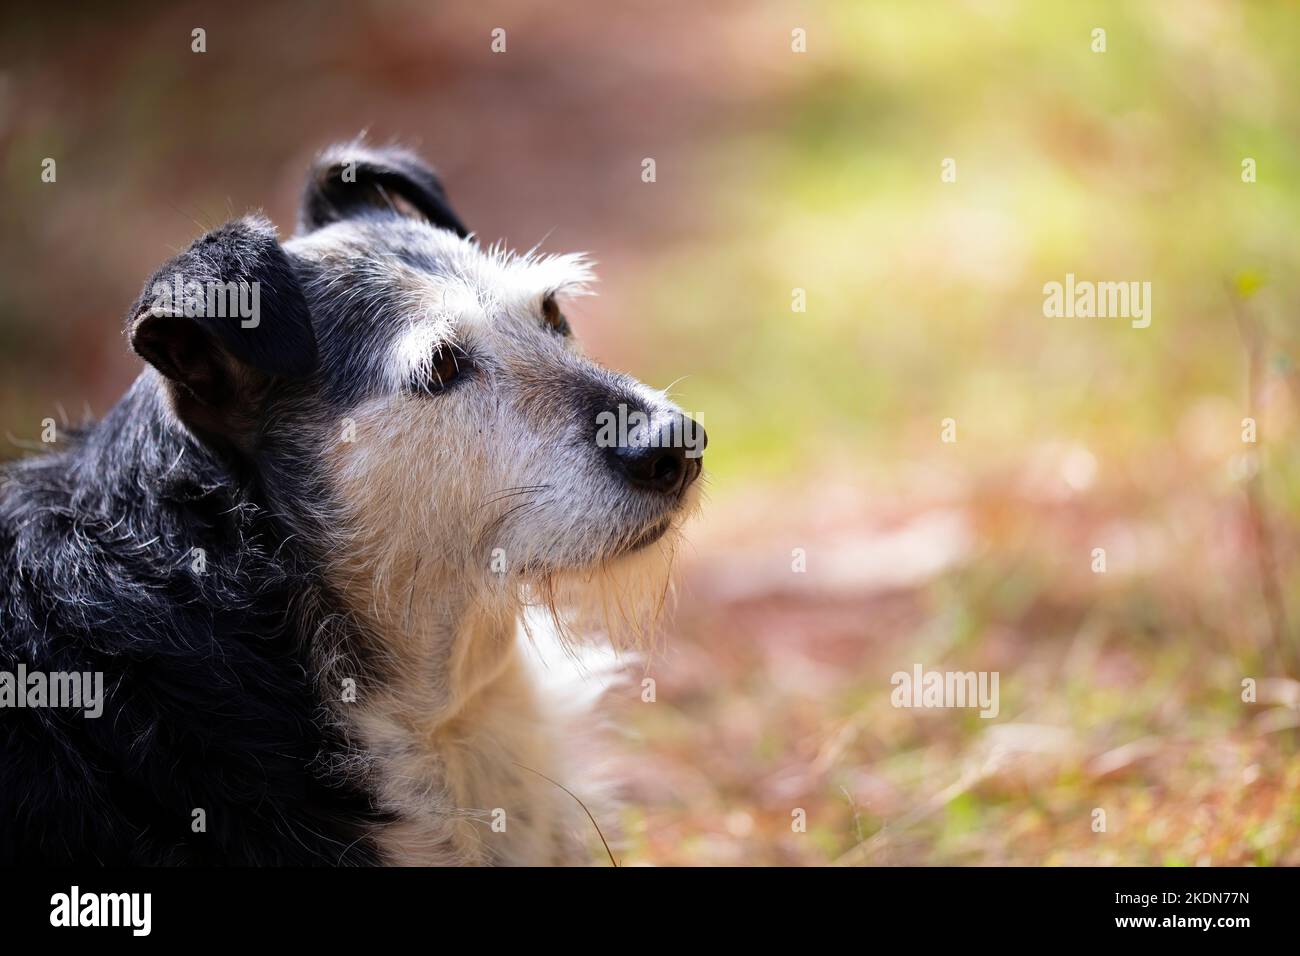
[(469, 751)]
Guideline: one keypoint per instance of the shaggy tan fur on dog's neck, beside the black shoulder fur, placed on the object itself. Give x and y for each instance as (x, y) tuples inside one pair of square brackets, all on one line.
[(461, 739)]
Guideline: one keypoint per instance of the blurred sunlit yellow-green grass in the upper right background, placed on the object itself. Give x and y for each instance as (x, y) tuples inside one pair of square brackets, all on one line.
[(925, 299)]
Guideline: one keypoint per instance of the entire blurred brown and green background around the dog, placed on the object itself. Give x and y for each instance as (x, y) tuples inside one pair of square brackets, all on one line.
[(820, 171)]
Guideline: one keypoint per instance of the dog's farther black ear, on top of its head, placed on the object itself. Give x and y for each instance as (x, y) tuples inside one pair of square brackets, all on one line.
[(352, 179)]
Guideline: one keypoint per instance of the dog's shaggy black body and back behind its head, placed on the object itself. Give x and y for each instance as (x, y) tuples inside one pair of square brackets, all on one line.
[(211, 700)]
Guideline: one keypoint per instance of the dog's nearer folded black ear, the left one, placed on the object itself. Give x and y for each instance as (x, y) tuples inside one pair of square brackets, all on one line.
[(223, 319)]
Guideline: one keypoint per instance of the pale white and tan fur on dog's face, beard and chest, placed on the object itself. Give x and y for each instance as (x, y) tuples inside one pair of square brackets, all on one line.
[(463, 509)]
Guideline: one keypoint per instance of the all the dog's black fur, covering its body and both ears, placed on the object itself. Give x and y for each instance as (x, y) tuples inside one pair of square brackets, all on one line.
[(215, 684)]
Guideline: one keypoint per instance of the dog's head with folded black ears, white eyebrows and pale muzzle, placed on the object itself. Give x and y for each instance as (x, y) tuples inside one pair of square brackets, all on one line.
[(421, 396)]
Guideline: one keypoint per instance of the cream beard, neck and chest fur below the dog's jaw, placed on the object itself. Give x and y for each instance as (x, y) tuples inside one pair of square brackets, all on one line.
[(491, 697)]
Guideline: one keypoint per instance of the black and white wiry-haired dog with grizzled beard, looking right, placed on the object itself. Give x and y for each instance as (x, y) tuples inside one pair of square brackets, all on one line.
[(314, 547)]
